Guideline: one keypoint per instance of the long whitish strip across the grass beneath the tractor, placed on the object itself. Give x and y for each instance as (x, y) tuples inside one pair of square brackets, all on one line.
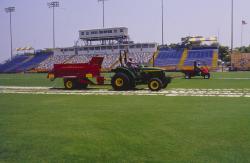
[(145, 92)]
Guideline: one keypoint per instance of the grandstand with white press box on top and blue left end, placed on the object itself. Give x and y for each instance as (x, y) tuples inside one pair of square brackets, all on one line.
[(95, 42)]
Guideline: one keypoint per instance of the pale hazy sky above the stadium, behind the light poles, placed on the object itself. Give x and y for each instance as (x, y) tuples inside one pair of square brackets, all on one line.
[(32, 21)]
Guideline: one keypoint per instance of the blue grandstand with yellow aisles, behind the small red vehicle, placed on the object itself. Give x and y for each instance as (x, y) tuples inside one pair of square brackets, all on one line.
[(183, 57)]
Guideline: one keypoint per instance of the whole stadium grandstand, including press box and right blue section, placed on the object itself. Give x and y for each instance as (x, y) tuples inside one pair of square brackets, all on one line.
[(108, 43)]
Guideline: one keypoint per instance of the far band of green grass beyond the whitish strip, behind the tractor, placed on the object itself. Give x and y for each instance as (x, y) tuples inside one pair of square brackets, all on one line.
[(216, 81)]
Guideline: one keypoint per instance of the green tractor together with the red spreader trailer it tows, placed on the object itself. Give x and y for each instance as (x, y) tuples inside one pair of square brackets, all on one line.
[(126, 76)]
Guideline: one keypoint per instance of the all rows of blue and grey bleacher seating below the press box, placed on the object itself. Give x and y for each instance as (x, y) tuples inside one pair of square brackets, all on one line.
[(172, 59)]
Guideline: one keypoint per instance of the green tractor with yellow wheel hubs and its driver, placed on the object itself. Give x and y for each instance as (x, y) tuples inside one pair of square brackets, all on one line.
[(128, 75)]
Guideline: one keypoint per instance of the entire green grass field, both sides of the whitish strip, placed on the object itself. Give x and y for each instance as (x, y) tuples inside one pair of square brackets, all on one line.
[(72, 128)]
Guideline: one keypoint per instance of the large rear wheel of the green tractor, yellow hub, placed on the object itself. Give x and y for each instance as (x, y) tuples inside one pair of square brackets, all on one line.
[(120, 82)]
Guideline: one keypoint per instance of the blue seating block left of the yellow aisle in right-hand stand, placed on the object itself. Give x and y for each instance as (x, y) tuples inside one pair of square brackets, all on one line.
[(170, 57)]
